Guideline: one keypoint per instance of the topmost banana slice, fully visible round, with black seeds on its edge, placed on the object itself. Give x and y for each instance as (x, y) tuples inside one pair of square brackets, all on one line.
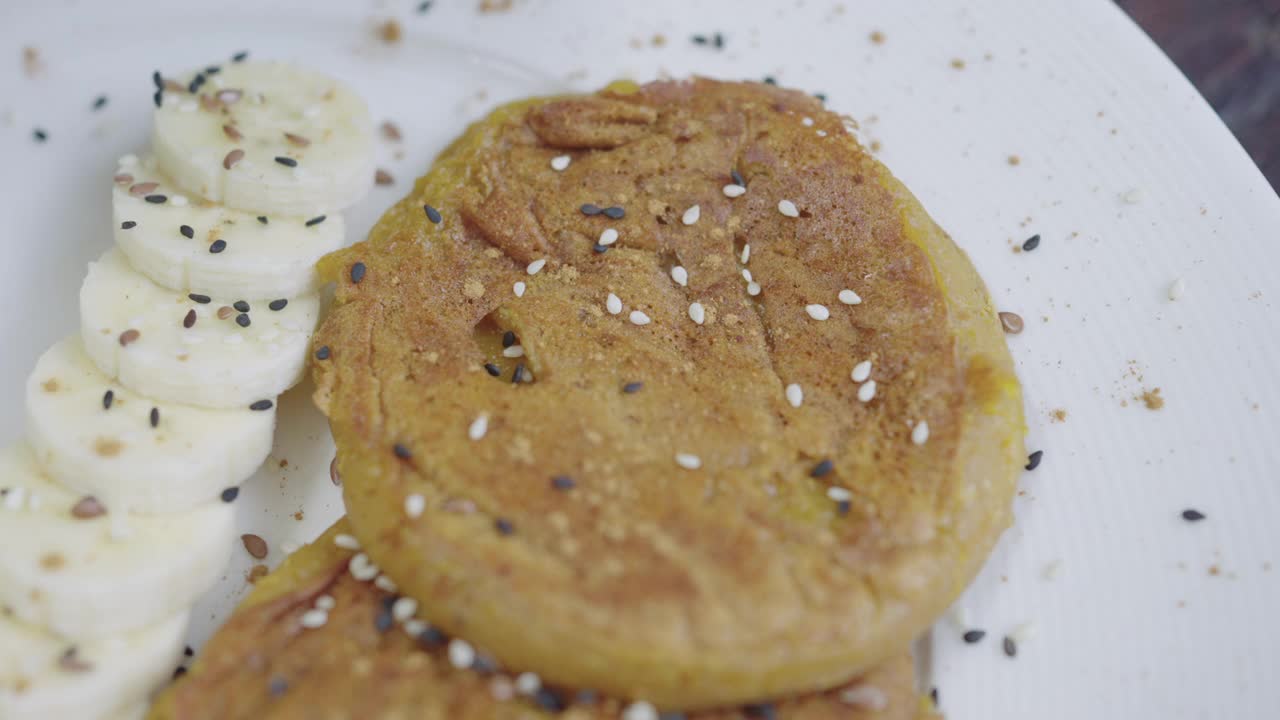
[(267, 138)]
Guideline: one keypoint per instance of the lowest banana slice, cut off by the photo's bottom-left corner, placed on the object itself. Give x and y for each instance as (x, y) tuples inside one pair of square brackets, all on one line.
[(44, 677)]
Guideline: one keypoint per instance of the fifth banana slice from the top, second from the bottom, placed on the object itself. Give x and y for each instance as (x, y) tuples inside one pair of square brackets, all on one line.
[(84, 575)]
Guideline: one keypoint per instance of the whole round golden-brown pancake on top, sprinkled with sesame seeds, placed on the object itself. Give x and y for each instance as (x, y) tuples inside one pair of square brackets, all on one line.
[(693, 553)]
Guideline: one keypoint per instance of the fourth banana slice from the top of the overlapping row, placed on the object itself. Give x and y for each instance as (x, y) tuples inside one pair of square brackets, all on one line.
[(98, 439)]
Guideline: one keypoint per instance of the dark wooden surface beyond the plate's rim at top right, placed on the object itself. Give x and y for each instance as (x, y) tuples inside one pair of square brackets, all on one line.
[(1231, 49)]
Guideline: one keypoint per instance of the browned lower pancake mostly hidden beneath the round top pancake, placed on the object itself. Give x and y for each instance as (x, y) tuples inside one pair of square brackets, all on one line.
[(364, 666)]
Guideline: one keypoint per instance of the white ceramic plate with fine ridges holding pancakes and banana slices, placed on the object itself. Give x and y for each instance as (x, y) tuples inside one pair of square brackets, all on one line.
[(1126, 610)]
